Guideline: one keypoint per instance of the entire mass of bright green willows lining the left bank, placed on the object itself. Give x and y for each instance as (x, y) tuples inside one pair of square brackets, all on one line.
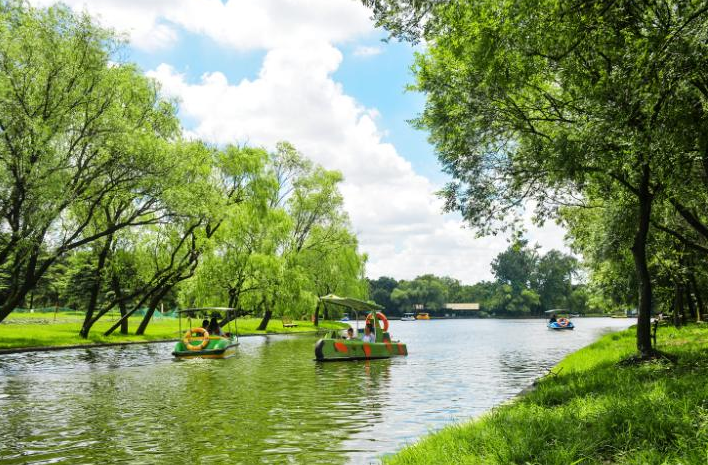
[(104, 206)]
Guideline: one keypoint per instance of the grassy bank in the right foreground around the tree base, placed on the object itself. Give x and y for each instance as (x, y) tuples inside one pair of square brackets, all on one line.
[(594, 409)]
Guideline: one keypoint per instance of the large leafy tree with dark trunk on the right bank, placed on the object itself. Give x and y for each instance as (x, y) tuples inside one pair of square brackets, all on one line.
[(538, 101)]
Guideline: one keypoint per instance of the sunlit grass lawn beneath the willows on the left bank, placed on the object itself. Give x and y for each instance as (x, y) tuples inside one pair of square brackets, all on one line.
[(43, 329)]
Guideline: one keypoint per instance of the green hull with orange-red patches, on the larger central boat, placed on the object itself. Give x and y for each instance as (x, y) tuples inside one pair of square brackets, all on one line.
[(330, 350)]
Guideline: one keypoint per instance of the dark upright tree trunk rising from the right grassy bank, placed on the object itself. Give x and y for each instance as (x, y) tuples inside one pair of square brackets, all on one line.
[(639, 253)]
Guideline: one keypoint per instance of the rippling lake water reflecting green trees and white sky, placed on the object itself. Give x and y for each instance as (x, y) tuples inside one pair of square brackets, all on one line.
[(271, 403)]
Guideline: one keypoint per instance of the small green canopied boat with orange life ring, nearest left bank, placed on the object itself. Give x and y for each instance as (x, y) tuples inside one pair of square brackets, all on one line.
[(198, 343)]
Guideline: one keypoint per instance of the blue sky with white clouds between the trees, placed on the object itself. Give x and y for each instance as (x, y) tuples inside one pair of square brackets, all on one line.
[(317, 74)]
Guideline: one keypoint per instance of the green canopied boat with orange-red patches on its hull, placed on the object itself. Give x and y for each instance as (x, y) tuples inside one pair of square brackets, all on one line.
[(334, 347)]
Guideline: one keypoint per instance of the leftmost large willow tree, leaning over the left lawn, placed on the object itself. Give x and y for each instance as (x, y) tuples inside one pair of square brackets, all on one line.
[(76, 128)]
